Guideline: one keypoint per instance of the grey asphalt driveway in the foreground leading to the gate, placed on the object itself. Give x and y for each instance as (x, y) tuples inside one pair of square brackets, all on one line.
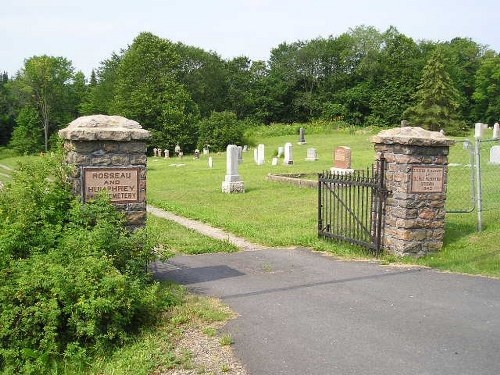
[(302, 312)]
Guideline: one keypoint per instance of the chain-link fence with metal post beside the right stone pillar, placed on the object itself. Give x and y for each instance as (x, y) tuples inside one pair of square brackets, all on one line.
[(474, 180)]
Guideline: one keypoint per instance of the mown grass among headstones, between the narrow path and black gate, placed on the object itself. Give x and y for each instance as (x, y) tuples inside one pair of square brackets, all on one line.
[(270, 213)]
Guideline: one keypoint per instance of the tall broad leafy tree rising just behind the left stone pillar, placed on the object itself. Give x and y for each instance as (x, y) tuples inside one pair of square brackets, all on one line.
[(148, 91)]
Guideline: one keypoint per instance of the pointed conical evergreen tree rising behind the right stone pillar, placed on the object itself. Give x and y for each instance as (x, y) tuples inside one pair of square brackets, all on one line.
[(437, 99)]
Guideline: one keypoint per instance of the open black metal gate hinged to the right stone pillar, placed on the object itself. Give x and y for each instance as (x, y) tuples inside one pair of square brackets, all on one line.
[(351, 206)]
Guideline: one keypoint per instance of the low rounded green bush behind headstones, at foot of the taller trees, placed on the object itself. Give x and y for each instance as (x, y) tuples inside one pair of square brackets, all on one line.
[(220, 130)]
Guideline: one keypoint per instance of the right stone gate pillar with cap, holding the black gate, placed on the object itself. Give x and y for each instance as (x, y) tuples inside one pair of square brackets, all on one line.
[(416, 179)]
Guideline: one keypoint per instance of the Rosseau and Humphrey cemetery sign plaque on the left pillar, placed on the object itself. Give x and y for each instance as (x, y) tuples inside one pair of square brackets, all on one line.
[(122, 184)]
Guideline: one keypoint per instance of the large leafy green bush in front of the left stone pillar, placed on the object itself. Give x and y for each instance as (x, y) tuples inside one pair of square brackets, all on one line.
[(73, 281)]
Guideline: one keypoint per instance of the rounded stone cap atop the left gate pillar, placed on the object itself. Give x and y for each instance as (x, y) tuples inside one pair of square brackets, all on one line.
[(104, 128)]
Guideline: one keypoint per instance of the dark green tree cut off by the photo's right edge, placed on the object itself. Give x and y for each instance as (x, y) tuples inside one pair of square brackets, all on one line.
[(487, 93)]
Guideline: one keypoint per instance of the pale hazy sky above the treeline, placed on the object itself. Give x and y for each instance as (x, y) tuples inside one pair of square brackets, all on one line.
[(88, 31)]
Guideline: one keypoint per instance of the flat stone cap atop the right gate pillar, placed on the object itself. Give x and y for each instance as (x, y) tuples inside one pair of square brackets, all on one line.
[(414, 136)]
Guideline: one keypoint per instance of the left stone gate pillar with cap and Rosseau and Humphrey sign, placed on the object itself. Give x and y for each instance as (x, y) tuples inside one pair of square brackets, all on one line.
[(109, 153)]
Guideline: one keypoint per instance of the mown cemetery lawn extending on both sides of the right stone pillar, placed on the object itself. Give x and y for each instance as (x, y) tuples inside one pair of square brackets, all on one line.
[(279, 215)]
